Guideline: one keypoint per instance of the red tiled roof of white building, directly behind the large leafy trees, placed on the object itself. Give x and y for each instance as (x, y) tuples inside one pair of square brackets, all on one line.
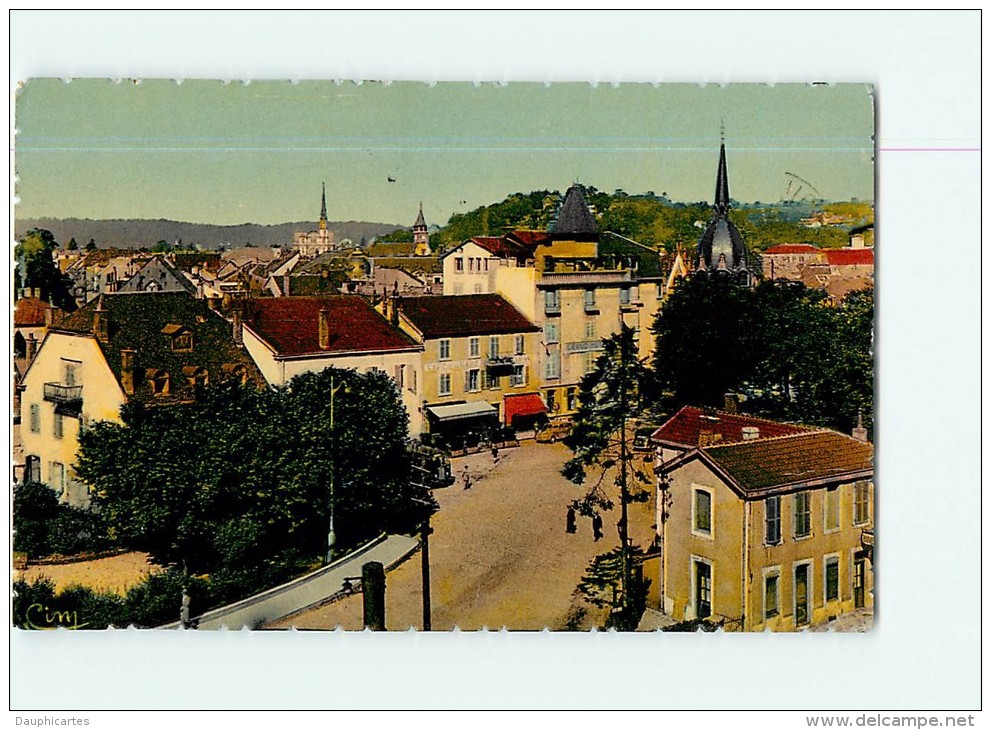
[(291, 325)]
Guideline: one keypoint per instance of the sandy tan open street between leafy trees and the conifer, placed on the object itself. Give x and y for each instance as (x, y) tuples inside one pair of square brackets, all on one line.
[(499, 553)]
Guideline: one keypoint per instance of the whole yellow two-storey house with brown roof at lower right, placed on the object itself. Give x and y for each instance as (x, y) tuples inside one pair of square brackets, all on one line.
[(772, 533)]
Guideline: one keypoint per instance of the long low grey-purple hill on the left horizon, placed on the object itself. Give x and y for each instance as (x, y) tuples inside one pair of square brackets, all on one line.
[(136, 233)]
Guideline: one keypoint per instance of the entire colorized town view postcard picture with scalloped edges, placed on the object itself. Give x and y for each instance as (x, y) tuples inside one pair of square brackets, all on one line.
[(323, 355)]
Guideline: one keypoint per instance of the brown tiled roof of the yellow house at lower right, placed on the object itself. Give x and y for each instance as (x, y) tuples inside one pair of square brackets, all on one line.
[(816, 457)]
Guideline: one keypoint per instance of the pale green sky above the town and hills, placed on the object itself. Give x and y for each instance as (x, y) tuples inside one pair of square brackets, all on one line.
[(229, 153)]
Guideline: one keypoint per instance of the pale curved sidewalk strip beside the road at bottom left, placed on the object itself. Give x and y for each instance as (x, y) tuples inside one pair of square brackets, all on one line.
[(310, 590)]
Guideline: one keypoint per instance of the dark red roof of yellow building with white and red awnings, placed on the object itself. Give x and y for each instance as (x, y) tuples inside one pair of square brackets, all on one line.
[(464, 316)]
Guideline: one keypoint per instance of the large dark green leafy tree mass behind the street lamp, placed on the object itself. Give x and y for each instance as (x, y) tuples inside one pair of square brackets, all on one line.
[(238, 484)]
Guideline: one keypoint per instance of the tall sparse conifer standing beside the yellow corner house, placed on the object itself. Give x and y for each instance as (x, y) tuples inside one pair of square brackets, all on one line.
[(608, 397)]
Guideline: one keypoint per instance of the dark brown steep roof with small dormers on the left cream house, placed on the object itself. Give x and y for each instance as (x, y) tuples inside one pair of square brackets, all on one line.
[(139, 321)]
